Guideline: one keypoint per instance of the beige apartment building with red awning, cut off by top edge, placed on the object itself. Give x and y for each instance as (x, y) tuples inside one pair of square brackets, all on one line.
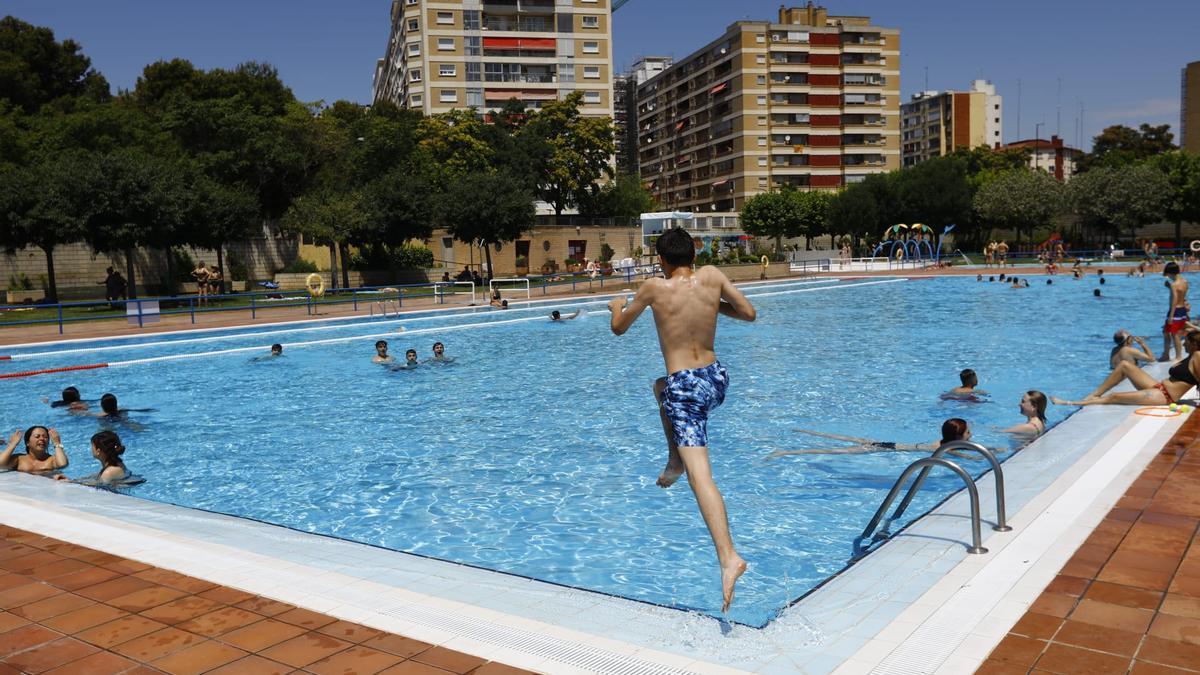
[(482, 53)]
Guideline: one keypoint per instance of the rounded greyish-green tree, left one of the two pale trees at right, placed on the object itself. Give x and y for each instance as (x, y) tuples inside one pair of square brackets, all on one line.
[(1021, 200)]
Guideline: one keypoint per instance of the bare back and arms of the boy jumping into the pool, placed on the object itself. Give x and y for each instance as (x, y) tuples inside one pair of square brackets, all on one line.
[(686, 307)]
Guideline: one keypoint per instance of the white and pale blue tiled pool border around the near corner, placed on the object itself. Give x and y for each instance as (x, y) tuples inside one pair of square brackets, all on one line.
[(919, 605)]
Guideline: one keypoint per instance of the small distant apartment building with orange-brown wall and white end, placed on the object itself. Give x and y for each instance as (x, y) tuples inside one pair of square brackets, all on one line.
[(933, 124)]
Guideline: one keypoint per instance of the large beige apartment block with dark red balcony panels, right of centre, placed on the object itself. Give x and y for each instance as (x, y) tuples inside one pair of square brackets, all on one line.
[(809, 100)]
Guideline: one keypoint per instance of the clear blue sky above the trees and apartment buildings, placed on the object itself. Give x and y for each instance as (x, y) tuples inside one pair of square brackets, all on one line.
[(1121, 61)]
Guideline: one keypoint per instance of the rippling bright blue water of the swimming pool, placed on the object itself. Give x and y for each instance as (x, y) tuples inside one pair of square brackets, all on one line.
[(536, 452)]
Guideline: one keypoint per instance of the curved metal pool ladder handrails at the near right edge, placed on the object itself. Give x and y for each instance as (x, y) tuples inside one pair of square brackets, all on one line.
[(928, 464)]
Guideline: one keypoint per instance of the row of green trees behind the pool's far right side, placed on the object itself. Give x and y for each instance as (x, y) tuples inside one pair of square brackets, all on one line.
[(1132, 178)]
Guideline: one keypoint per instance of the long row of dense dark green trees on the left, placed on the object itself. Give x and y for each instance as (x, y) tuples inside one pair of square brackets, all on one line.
[(209, 158)]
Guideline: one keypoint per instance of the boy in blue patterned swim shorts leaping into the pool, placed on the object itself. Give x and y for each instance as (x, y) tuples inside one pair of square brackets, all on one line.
[(686, 306)]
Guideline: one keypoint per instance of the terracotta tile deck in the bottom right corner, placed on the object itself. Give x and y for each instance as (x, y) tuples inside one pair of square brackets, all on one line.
[(1129, 601)]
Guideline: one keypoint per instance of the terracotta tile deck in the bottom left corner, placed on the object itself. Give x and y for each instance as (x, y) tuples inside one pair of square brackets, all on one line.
[(67, 610)]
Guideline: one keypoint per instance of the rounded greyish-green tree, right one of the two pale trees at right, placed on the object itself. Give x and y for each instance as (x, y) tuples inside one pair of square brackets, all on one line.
[(1120, 200)]
